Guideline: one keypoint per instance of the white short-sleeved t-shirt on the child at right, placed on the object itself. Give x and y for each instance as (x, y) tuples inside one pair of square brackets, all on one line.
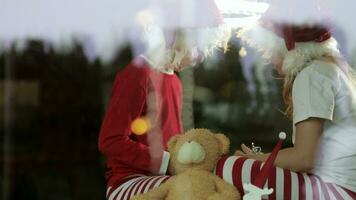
[(322, 90)]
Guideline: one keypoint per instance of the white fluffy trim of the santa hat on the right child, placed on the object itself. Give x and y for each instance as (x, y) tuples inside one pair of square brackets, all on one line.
[(268, 43)]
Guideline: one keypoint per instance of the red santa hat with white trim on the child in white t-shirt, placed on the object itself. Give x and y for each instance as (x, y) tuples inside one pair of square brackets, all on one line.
[(297, 29)]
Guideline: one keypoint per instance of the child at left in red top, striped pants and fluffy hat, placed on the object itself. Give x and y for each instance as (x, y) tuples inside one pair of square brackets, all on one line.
[(149, 90)]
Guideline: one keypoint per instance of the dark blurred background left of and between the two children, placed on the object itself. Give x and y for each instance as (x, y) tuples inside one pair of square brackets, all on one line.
[(55, 102)]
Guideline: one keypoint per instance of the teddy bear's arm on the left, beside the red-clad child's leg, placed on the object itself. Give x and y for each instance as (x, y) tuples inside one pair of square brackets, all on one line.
[(158, 193)]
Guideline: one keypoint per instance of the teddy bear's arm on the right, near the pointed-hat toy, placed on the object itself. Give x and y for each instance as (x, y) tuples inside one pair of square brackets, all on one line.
[(225, 191)]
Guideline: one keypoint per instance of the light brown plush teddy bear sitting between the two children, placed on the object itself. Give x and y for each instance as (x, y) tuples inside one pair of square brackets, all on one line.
[(193, 158)]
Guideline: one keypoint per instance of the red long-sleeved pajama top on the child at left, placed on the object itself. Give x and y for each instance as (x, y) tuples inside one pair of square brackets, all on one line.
[(127, 153)]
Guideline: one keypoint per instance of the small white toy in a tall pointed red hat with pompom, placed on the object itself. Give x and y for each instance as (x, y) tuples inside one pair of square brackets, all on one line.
[(255, 190)]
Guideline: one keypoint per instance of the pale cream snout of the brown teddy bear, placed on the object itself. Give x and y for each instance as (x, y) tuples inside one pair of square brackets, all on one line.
[(191, 152)]
